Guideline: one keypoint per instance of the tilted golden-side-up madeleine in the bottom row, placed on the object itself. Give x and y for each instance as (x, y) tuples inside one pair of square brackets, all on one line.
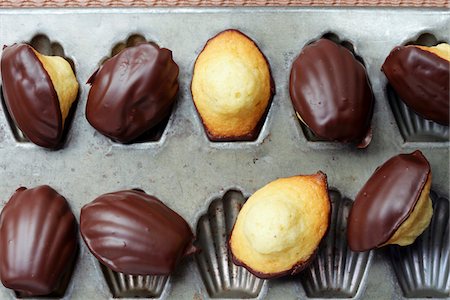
[(279, 228)]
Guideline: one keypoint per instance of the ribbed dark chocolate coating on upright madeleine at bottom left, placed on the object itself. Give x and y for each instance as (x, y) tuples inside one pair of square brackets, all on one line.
[(38, 241)]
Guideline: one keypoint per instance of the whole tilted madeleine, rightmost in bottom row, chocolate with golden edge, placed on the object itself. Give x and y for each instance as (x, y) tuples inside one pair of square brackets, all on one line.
[(393, 206)]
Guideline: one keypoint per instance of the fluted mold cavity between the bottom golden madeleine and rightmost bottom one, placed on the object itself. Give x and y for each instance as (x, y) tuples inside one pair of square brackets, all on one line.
[(337, 271)]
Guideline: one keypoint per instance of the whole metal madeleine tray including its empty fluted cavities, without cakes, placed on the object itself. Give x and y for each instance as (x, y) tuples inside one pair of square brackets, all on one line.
[(207, 182)]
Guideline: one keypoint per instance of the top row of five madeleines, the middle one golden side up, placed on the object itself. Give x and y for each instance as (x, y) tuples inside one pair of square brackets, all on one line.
[(232, 88)]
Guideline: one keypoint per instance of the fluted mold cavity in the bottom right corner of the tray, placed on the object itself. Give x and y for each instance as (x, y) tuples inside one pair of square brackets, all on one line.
[(423, 268)]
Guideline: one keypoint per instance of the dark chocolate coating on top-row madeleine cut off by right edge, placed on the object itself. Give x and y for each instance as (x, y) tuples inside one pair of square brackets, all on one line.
[(422, 80)]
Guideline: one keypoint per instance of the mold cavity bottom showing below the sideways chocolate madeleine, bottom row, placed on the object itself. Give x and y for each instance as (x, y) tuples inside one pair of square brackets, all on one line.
[(133, 286)]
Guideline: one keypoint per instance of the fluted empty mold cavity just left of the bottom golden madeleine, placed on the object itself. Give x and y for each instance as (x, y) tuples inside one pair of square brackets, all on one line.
[(222, 278)]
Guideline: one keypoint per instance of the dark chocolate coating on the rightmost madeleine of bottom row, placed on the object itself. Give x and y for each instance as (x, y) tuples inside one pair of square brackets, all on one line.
[(386, 200)]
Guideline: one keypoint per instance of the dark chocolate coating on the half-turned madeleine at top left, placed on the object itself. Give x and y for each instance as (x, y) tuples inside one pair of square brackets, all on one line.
[(30, 96)]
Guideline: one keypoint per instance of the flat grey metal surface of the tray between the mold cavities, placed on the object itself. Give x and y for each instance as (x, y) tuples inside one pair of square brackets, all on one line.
[(184, 169)]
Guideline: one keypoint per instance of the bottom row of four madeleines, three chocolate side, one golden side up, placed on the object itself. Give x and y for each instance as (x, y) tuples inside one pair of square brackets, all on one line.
[(277, 231)]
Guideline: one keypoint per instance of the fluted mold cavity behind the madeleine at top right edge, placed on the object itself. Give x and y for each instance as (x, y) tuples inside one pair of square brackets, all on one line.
[(413, 127)]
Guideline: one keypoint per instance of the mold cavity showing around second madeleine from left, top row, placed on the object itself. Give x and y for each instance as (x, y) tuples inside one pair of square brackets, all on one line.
[(154, 134)]
